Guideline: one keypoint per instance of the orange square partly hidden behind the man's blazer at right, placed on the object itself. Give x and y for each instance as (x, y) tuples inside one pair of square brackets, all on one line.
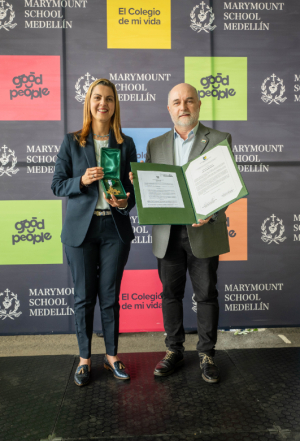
[(237, 230)]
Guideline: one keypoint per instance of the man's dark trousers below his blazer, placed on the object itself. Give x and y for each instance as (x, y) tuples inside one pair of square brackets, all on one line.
[(203, 273)]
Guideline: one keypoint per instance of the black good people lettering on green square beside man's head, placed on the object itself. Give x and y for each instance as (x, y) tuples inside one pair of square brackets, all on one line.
[(216, 83)]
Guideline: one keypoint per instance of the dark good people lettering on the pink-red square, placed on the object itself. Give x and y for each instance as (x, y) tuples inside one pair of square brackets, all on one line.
[(29, 90)]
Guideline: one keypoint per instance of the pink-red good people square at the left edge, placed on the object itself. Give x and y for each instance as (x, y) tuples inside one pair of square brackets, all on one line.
[(30, 88)]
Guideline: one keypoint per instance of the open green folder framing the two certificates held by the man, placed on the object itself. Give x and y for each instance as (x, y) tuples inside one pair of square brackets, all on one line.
[(178, 216)]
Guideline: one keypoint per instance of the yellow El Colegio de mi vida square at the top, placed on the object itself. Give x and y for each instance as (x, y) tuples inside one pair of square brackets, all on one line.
[(132, 24)]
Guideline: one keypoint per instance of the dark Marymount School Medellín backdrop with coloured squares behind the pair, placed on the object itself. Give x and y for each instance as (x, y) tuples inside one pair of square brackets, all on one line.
[(243, 59)]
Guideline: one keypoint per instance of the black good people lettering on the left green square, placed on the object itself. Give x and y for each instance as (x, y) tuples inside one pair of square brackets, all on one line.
[(31, 227)]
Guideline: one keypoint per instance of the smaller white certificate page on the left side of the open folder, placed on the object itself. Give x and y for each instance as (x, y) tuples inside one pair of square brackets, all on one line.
[(159, 189)]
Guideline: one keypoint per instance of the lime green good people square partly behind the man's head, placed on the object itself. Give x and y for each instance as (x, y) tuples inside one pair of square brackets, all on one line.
[(226, 78)]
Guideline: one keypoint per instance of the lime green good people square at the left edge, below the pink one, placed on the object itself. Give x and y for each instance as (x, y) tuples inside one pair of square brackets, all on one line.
[(30, 232)]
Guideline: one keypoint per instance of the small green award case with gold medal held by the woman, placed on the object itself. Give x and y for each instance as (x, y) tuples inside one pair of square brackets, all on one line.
[(111, 163)]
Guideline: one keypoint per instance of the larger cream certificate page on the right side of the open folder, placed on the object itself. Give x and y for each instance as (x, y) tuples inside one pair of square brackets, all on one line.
[(213, 180)]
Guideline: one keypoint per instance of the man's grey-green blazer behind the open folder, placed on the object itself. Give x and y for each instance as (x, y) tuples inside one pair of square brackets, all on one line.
[(212, 238)]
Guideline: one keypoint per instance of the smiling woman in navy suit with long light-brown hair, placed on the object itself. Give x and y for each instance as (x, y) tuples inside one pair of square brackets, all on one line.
[(97, 231)]
